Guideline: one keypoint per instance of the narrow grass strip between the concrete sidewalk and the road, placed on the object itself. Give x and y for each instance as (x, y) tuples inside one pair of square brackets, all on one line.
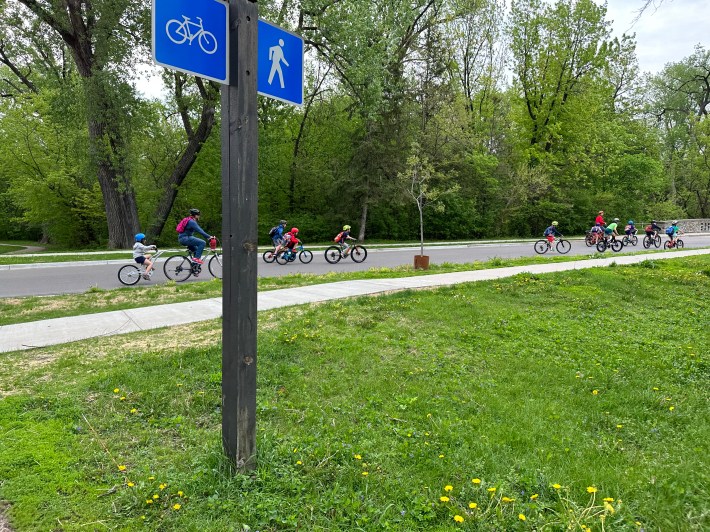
[(24, 309)]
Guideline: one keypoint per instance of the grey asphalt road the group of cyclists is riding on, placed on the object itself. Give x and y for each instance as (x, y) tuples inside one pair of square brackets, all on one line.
[(65, 279)]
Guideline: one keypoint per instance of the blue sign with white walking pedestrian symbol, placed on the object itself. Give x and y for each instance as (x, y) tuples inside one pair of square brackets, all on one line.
[(280, 64)]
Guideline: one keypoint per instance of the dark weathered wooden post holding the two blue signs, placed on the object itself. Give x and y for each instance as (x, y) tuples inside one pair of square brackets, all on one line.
[(239, 238)]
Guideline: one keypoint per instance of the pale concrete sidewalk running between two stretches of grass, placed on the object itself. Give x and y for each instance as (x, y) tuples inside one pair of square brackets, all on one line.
[(63, 330)]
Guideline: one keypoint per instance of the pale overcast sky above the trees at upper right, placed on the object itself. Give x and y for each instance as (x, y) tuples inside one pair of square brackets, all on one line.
[(667, 31)]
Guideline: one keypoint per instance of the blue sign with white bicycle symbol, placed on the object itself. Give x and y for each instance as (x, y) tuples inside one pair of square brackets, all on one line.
[(192, 36)]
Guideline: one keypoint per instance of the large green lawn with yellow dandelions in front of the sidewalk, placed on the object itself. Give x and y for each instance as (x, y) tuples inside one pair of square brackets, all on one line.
[(594, 378)]
